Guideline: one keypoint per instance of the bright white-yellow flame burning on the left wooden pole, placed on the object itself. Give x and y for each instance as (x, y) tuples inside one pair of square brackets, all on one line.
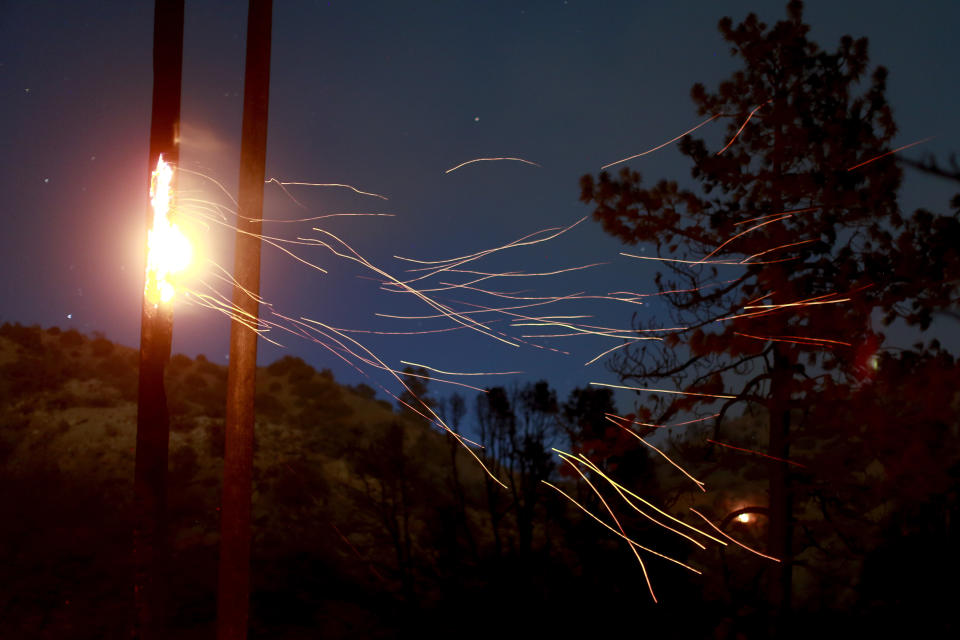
[(168, 249)]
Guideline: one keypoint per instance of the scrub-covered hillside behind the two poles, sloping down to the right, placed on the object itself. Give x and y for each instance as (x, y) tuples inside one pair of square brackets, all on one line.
[(366, 520)]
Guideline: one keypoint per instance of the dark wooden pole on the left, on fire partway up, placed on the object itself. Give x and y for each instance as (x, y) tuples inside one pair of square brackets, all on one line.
[(156, 330)]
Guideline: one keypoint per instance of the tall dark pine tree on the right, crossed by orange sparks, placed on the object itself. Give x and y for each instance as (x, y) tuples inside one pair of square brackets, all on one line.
[(799, 208)]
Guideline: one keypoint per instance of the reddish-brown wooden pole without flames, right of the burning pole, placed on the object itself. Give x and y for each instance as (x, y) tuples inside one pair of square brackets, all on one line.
[(233, 600)]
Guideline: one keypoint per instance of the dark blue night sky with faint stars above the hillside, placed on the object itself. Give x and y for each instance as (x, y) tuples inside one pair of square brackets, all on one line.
[(386, 97)]
